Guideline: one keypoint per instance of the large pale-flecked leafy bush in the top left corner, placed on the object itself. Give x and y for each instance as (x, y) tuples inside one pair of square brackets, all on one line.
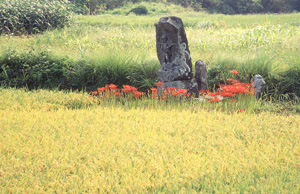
[(29, 17)]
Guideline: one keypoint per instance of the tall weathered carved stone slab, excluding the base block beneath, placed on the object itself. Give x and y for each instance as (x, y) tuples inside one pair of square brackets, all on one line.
[(172, 50)]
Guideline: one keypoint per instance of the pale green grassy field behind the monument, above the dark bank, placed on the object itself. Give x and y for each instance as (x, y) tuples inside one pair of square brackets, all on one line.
[(211, 37)]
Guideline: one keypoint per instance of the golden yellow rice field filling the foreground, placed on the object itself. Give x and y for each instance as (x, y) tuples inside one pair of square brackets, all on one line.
[(46, 146)]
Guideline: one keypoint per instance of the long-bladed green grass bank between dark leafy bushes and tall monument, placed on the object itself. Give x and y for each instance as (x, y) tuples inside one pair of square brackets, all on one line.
[(113, 68)]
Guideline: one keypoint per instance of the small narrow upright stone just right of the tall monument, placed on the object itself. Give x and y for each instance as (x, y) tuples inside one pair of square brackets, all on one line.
[(201, 75)]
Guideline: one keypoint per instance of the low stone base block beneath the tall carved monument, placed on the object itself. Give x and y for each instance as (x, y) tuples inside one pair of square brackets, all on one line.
[(190, 85)]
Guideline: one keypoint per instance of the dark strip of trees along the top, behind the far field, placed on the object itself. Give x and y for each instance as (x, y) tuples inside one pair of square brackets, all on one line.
[(214, 6)]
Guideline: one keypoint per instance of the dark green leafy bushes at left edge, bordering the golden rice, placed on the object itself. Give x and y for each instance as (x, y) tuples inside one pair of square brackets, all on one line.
[(31, 69)]
